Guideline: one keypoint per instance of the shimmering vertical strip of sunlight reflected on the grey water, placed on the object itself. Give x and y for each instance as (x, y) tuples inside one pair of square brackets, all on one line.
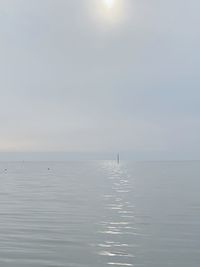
[(117, 227)]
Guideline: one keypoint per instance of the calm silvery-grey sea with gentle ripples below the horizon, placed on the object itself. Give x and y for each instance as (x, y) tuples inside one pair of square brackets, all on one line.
[(100, 214)]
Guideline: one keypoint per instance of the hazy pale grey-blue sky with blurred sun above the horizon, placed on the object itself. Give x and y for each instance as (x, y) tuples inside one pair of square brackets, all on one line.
[(79, 78)]
